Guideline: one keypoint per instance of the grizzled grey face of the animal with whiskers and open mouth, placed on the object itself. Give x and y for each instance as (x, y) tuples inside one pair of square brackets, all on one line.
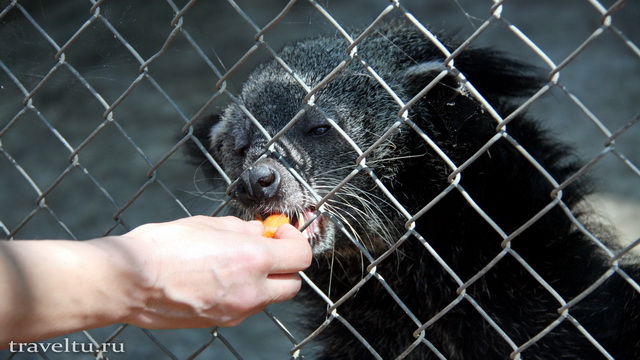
[(317, 145)]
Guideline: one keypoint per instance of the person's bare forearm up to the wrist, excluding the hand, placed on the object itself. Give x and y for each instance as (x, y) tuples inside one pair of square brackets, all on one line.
[(54, 287)]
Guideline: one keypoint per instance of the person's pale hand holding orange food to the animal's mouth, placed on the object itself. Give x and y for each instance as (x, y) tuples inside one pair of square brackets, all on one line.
[(203, 271)]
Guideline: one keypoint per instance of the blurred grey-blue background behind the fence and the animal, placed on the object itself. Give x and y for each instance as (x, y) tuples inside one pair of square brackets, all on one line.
[(111, 174)]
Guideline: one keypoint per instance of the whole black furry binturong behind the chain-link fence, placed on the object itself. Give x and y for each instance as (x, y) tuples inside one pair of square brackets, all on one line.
[(343, 132)]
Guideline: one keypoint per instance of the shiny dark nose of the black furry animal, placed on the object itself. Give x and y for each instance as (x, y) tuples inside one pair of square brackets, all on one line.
[(258, 183)]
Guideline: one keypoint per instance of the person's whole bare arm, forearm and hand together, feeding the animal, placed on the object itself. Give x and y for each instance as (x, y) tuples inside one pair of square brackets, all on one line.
[(193, 272)]
